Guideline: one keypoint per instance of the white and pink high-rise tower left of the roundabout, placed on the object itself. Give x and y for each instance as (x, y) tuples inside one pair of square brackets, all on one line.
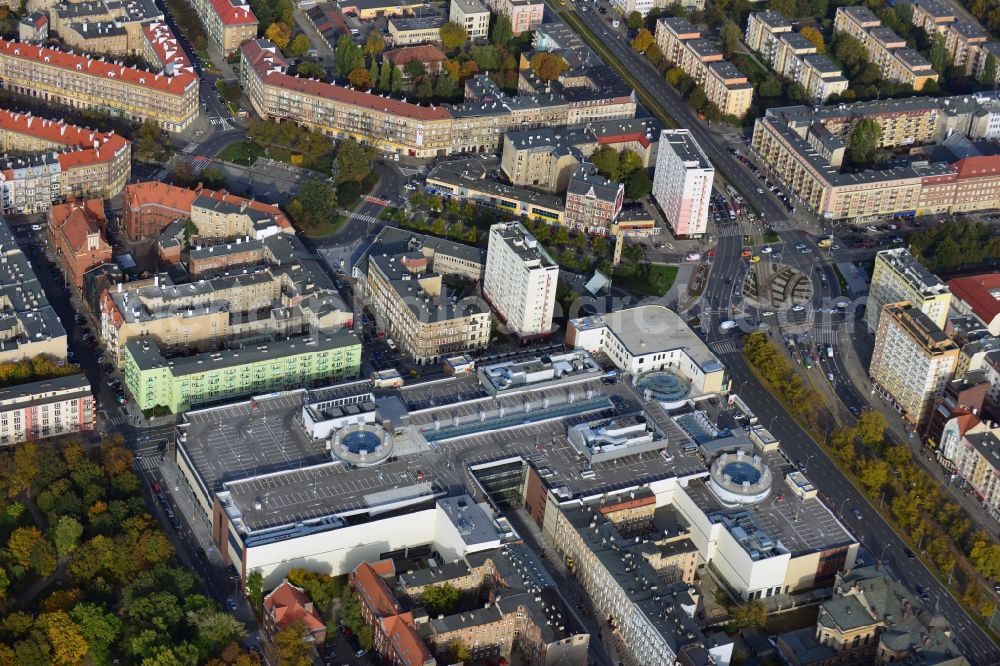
[(682, 183)]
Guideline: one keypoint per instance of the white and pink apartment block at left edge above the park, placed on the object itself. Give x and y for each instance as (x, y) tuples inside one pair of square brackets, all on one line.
[(47, 408)]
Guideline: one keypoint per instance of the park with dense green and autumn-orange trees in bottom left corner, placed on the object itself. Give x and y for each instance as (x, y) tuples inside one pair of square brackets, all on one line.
[(86, 573)]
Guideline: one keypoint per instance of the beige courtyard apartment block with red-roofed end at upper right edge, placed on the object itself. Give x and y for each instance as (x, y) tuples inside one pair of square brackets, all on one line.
[(806, 147)]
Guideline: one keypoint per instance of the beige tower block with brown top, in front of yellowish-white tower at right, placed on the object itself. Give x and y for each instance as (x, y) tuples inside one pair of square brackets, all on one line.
[(912, 361)]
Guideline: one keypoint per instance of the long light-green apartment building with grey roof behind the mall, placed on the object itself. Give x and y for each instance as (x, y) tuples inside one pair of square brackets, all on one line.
[(184, 382)]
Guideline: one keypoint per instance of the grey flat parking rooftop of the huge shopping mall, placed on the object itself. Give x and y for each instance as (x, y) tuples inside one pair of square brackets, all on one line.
[(352, 452)]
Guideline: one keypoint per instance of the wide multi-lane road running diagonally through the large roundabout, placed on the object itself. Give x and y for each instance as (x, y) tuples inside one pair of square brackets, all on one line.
[(880, 540)]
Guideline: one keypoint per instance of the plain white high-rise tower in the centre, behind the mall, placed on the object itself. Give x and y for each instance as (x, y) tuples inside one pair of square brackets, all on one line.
[(520, 280)]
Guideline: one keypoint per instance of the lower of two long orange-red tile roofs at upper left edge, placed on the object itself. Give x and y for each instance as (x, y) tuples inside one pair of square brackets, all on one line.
[(93, 147)]
